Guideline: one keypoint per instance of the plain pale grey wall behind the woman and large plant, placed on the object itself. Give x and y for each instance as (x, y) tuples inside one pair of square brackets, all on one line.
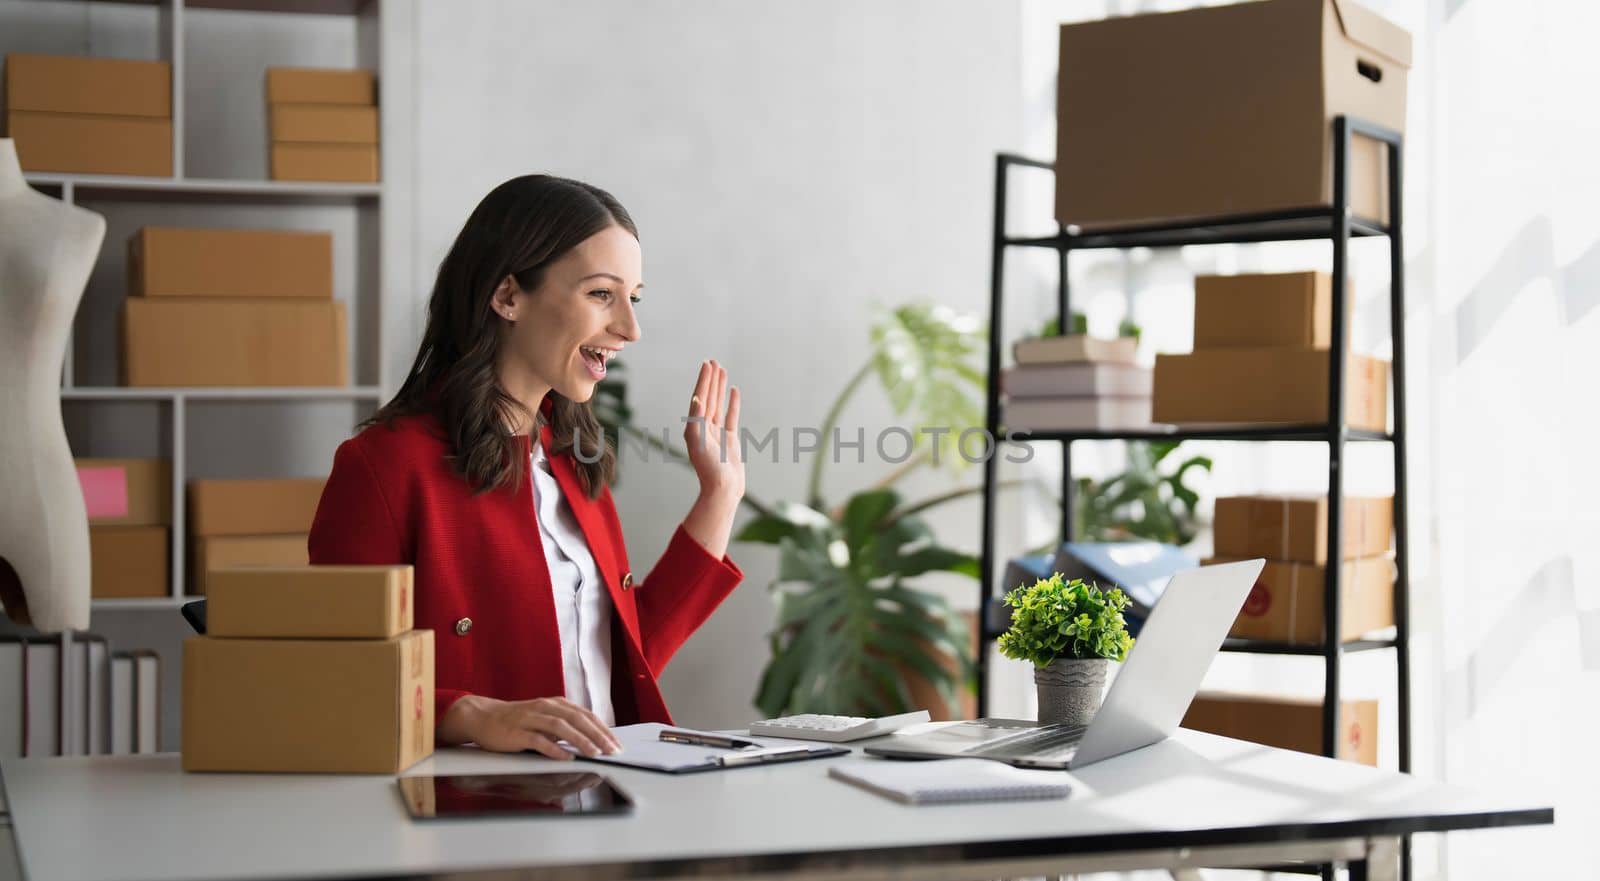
[(788, 164)]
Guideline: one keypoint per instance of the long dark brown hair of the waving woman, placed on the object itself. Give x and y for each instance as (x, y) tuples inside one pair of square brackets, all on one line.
[(519, 229)]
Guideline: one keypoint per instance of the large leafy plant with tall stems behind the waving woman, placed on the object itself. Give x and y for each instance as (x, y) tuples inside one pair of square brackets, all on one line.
[(852, 623)]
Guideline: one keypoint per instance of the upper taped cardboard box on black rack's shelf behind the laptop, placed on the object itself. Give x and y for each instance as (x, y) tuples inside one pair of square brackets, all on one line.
[(1295, 528)]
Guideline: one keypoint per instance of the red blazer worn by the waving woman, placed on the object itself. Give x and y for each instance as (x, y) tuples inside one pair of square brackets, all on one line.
[(482, 584)]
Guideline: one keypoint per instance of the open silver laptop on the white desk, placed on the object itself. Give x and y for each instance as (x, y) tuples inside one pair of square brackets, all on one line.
[(1146, 703)]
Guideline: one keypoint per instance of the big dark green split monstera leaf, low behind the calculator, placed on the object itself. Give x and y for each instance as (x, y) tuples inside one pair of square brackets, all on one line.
[(850, 624)]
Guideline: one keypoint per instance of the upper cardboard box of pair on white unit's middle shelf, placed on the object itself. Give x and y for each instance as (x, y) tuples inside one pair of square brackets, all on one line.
[(230, 263)]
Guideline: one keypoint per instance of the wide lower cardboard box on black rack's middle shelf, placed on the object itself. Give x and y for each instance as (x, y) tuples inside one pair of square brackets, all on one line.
[(1268, 386)]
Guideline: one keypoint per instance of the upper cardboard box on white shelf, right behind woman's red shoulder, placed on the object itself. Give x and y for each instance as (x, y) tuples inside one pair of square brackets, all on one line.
[(254, 508)]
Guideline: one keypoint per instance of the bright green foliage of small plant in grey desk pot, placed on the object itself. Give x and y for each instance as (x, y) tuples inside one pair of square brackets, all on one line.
[(1068, 620)]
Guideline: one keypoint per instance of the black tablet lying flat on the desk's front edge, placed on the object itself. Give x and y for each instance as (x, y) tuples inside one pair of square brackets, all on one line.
[(550, 794)]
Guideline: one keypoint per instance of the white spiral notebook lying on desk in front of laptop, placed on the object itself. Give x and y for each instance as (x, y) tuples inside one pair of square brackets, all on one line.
[(953, 779)]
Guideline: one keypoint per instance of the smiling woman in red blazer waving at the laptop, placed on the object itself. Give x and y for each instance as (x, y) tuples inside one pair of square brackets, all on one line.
[(490, 476)]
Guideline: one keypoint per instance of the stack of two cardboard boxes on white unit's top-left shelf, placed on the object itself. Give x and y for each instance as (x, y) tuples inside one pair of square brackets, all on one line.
[(90, 116)]
